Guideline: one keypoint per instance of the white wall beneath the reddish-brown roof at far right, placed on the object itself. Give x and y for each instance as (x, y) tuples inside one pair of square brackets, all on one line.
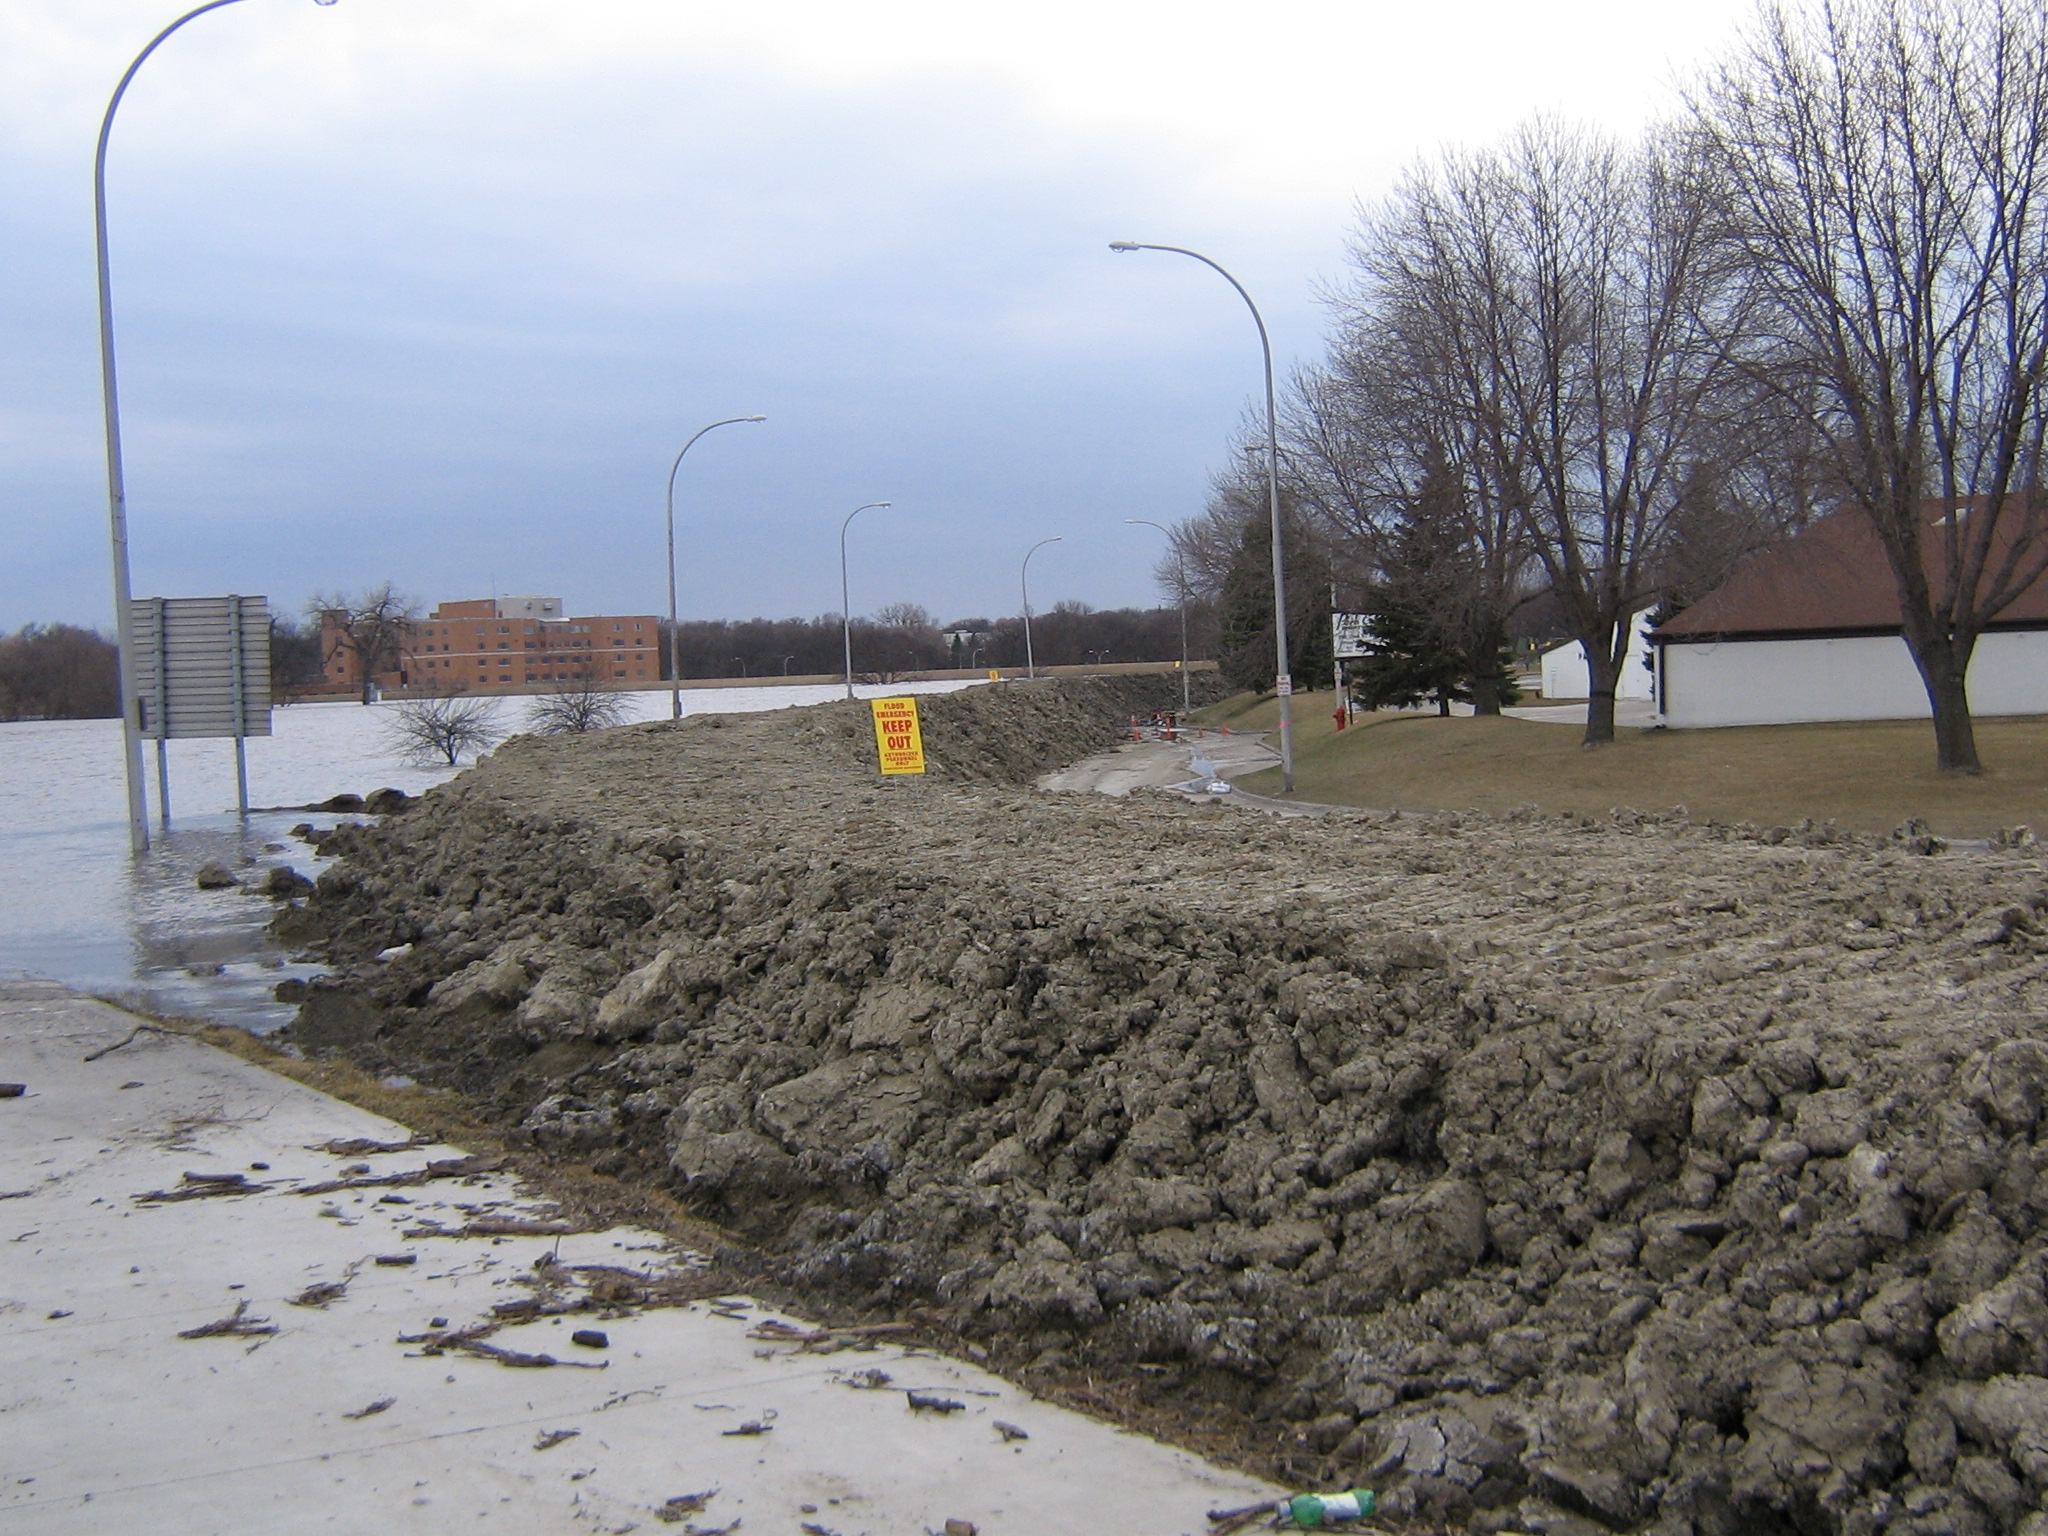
[(1869, 679)]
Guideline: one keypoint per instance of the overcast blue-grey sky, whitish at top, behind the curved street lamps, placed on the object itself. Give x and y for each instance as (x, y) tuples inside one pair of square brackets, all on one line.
[(433, 290)]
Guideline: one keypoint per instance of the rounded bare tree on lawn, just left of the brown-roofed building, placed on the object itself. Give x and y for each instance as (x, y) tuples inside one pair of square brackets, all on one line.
[(1568, 337)]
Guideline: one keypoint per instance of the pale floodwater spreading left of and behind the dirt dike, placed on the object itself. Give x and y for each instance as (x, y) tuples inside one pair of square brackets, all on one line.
[(79, 908)]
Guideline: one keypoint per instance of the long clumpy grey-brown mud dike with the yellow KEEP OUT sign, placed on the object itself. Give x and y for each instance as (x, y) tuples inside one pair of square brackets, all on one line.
[(1633, 1172)]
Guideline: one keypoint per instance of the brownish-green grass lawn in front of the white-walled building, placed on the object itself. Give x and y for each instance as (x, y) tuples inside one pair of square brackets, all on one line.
[(1863, 775)]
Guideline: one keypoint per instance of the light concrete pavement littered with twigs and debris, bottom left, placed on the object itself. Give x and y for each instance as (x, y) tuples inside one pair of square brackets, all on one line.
[(345, 1412)]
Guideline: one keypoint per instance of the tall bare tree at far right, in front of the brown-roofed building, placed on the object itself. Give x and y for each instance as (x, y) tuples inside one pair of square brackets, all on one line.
[(1881, 171)]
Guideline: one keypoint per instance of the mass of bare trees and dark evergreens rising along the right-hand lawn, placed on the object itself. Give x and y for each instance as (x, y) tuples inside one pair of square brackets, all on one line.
[(1594, 376)]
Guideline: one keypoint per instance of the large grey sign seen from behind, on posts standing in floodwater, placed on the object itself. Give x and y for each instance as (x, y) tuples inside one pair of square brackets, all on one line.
[(202, 671)]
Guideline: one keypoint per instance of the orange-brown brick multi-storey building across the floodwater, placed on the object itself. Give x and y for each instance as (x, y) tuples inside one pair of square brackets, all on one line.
[(513, 644)]
